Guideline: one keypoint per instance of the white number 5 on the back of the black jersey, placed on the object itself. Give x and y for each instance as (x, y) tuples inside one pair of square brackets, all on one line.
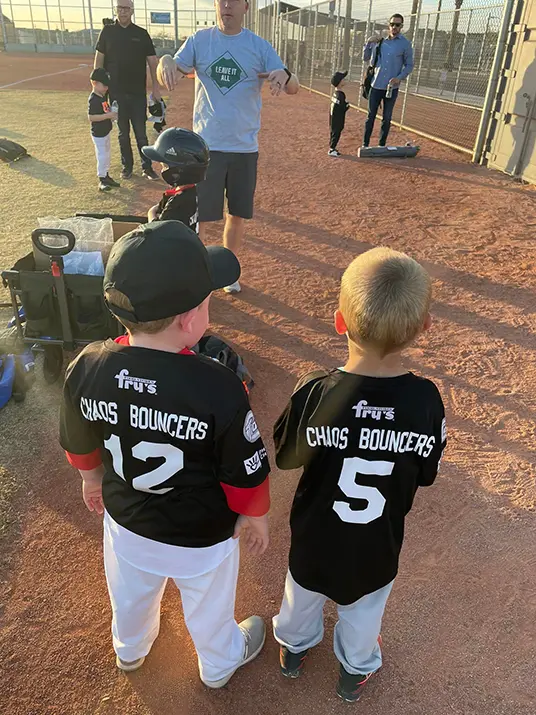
[(351, 468)]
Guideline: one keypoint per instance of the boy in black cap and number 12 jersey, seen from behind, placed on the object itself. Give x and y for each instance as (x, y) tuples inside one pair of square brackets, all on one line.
[(168, 447)]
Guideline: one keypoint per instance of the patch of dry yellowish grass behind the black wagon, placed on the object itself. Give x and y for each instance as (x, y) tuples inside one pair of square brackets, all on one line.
[(59, 179)]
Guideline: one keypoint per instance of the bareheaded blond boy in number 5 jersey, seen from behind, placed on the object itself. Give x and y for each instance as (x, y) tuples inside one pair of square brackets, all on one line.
[(367, 435)]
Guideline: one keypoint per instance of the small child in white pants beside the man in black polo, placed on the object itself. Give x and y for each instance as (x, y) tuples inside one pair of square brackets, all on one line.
[(101, 116)]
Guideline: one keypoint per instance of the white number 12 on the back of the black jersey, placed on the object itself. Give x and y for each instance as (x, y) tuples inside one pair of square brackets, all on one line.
[(173, 463)]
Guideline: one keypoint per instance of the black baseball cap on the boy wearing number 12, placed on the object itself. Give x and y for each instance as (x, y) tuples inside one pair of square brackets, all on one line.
[(164, 269)]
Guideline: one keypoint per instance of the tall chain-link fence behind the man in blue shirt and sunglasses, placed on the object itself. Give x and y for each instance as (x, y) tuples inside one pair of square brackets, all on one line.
[(453, 50)]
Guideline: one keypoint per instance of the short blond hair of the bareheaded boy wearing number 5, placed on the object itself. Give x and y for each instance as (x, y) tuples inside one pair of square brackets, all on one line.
[(385, 298)]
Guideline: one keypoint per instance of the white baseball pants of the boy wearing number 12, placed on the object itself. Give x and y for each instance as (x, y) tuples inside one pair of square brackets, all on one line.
[(208, 603)]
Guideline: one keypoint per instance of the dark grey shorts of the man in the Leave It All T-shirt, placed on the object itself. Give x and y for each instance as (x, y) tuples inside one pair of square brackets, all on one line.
[(229, 175)]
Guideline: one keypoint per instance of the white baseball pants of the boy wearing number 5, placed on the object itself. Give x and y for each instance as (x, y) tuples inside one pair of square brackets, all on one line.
[(300, 625)]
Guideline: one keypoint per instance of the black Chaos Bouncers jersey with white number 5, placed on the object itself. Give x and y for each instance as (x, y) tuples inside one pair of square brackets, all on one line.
[(365, 445)]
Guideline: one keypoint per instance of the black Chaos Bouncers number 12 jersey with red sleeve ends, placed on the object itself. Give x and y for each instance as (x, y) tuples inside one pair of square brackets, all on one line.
[(177, 437)]
